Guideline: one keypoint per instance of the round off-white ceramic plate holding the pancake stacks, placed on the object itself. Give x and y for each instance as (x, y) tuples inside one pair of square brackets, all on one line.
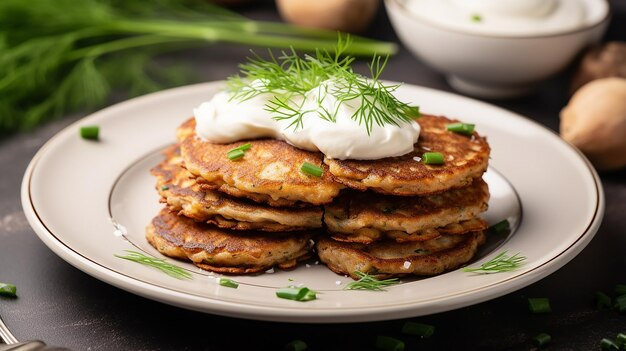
[(73, 187)]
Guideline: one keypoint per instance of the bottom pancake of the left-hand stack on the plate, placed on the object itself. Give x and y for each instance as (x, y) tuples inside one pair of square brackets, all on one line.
[(225, 251)]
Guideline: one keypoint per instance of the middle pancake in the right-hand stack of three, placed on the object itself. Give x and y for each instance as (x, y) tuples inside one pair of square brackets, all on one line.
[(367, 216)]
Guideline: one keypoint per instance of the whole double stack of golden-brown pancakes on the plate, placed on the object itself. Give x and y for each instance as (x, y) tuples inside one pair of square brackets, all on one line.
[(388, 217)]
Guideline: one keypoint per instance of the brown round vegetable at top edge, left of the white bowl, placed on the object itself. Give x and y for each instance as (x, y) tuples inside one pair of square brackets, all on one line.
[(343, 15)]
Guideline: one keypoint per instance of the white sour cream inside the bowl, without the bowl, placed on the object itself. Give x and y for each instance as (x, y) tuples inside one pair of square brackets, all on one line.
[(511, 17)]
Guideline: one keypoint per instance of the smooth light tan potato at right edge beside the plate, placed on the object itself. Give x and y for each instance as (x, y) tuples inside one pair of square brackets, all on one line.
[(594, 120)]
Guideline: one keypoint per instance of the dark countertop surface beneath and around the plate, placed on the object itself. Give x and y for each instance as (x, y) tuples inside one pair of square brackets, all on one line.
[(65, 307)]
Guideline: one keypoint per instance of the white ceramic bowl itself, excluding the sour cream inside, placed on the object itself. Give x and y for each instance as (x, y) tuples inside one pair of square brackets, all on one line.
[(490, 65)]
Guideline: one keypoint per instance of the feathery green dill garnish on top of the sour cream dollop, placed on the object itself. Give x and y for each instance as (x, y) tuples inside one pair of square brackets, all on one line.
[(290, 78)]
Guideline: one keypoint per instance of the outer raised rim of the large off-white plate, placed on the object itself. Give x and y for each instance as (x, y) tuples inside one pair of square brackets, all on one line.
[(297, 313)]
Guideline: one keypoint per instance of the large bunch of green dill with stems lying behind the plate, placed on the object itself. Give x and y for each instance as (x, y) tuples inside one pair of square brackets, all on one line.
[(68, 55)]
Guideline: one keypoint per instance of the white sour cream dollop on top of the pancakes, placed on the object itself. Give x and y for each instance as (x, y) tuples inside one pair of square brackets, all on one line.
[(225, 120)]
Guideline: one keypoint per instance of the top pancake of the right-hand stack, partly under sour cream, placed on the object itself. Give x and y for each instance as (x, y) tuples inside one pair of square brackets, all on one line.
[(466, 158)]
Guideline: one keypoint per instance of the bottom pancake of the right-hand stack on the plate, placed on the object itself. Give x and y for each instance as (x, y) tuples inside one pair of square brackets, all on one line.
[(392, 259)]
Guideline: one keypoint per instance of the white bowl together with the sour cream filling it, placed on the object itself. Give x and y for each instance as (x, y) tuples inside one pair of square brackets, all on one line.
[(498, 48)]
